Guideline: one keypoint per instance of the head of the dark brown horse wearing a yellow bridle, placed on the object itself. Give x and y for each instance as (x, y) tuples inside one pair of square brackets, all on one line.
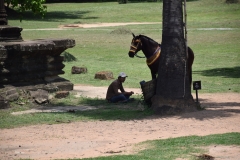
[(136, 46)]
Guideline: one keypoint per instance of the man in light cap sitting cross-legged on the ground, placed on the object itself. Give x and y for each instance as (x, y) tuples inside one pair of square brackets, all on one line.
[(113, 95)]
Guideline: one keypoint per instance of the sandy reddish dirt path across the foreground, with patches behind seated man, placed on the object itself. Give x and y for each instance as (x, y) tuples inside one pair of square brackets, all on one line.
[(102, 138)]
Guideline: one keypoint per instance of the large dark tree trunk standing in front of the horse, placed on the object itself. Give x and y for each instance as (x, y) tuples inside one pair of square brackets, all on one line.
[(173, 92)]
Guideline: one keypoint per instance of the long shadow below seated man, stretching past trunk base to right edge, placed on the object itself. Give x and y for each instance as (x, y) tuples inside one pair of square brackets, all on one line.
[(132, 111)]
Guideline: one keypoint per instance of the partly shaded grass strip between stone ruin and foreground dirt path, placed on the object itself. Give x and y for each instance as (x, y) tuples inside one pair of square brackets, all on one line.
[(105, 111)]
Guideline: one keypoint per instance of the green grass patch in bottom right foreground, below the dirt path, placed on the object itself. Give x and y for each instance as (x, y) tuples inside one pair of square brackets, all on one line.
[(184, 147)]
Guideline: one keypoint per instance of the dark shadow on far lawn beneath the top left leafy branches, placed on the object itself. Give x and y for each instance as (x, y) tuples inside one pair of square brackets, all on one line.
[(56, 16)]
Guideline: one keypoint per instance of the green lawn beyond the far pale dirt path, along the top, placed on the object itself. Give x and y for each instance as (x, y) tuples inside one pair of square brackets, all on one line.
[(201, 13)]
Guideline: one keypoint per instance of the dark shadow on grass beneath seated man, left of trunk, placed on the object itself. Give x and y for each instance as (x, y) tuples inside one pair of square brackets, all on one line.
[(100, 109)]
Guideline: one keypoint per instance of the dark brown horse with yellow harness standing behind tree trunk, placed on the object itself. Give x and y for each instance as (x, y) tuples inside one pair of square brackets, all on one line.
[(152, 50)]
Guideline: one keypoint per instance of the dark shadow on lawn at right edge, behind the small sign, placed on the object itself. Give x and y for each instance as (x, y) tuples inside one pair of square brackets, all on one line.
[(233, 72)]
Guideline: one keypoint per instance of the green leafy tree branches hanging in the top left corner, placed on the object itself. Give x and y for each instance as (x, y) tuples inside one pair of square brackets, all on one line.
[(21, 6)]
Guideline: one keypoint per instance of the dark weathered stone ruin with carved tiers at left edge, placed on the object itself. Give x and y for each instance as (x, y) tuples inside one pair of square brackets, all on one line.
[(29, 65)]
